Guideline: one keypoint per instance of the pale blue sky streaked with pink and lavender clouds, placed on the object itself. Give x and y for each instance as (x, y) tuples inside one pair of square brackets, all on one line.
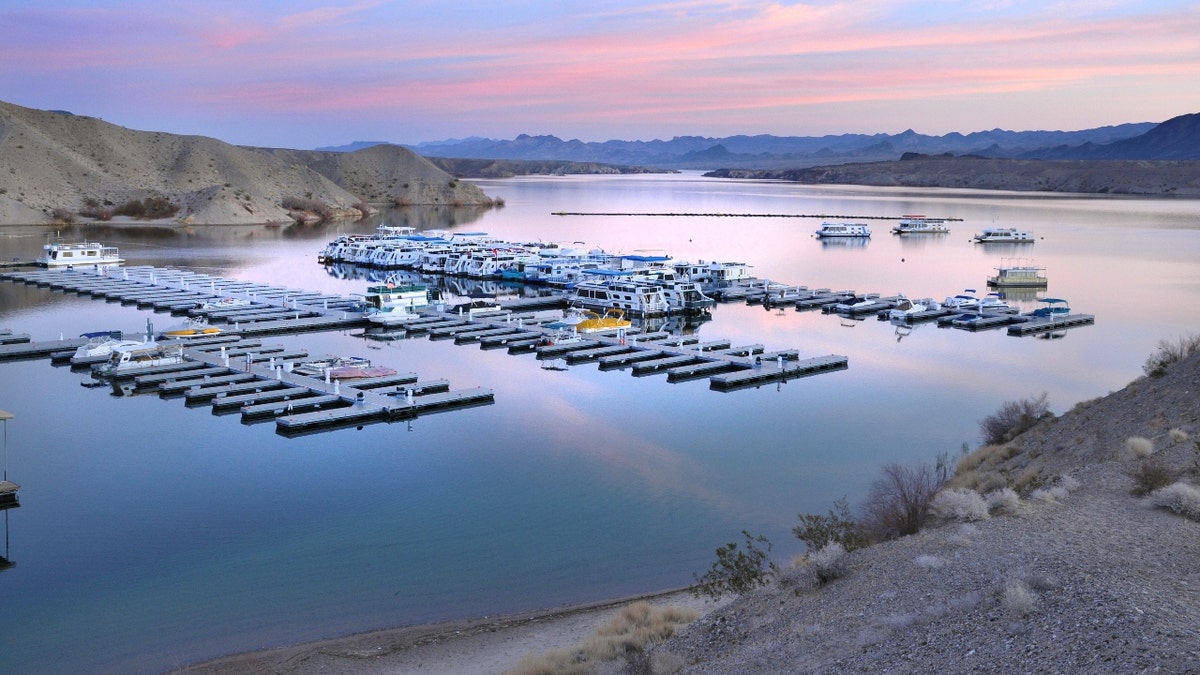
[(304, 74)]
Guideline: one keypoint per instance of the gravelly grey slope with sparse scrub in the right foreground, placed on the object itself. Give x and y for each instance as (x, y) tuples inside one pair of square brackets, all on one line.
[(1078, 576)]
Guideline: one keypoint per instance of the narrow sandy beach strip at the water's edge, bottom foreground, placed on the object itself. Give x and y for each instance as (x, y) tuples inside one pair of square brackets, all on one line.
[(488, 644)]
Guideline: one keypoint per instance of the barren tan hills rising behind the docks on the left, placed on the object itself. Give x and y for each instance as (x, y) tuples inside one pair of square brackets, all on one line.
[(56, 166)]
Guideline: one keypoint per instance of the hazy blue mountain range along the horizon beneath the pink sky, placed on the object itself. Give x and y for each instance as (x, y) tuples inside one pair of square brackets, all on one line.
[(773, 152)]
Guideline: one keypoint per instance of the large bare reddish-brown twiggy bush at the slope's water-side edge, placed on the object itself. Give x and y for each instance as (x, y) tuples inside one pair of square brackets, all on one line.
[(898, 504)]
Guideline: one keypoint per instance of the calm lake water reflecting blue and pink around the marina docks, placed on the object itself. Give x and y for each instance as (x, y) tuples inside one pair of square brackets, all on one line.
[(153, 535)]
